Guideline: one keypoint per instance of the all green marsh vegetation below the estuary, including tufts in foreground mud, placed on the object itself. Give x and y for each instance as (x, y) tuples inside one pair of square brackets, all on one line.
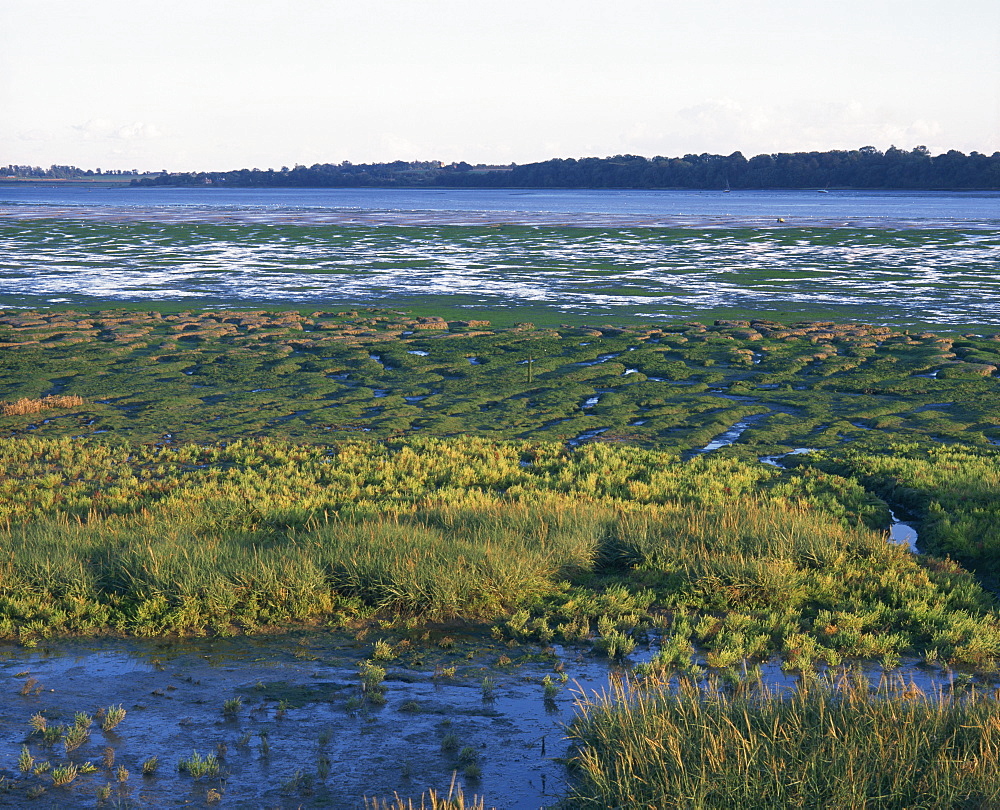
[(227, 473)]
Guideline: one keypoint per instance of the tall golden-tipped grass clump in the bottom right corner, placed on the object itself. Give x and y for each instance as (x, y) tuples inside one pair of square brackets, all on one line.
[(828, 744)]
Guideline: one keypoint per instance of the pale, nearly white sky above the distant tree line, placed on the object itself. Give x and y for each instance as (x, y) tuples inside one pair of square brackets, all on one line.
[(191, 85)]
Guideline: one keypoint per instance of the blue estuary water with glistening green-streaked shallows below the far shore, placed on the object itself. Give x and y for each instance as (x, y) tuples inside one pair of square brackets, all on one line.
[(927, 259)]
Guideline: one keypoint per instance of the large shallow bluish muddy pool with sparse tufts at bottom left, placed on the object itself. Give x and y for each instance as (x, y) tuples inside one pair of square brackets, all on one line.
[(300, 704)]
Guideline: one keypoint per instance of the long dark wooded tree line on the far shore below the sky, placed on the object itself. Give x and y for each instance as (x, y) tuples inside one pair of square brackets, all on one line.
[(864, 168)]
